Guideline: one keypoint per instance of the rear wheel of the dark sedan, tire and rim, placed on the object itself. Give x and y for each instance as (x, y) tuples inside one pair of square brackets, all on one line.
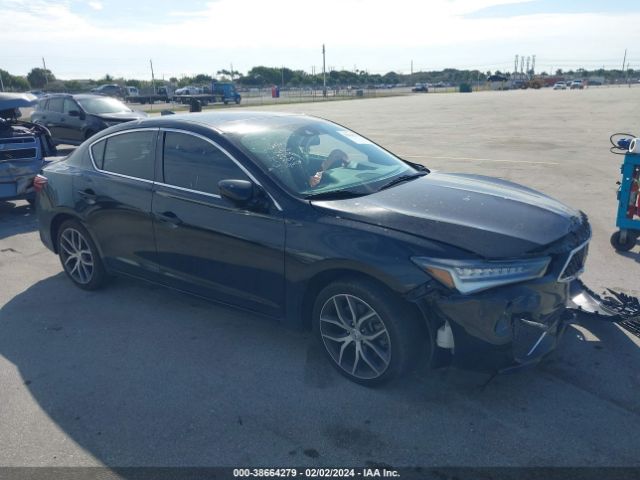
[(79, 256)]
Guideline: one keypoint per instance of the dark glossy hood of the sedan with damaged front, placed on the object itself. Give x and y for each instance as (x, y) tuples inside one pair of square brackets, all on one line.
[(490, 217)]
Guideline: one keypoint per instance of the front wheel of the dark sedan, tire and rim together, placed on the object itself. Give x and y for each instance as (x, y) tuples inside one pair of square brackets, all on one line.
[(367, 333)]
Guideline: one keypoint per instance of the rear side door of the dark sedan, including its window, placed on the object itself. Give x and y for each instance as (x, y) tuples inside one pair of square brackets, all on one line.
[(115, 200)]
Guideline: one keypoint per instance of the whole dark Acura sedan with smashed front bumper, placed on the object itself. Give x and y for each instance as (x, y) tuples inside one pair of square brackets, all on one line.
[(304, 220)]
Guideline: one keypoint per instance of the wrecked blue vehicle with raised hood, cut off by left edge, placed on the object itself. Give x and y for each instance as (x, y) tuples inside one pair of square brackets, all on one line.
[(23, 148)]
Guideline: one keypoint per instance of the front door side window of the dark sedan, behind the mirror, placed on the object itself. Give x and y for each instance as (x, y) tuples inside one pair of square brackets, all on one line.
[(193, 163)]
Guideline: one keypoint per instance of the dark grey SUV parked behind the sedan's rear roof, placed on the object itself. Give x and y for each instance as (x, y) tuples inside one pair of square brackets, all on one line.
[(72, 119)]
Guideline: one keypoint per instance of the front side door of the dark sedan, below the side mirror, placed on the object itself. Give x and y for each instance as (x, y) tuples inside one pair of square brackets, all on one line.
[(207, 245)]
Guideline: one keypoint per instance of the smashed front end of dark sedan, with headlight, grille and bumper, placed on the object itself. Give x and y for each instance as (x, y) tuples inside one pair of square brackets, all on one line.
[(505, 327)]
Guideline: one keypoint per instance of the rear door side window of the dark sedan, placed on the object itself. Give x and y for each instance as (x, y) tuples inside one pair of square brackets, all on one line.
[(130, 154)]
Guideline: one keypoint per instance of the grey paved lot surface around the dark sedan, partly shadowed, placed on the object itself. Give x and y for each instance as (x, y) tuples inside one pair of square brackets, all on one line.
[(138, 375)]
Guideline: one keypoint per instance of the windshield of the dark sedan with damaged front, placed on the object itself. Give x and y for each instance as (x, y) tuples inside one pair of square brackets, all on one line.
[(315, 158)]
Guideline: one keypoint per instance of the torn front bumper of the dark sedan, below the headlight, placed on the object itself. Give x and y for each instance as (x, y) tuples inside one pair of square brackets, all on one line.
[(499, 330)]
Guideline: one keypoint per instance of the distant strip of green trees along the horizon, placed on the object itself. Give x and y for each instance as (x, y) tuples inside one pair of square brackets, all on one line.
[(261, 76)]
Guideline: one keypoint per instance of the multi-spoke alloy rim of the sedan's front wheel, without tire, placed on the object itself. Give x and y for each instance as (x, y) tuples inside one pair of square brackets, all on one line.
[(355, 336)]
